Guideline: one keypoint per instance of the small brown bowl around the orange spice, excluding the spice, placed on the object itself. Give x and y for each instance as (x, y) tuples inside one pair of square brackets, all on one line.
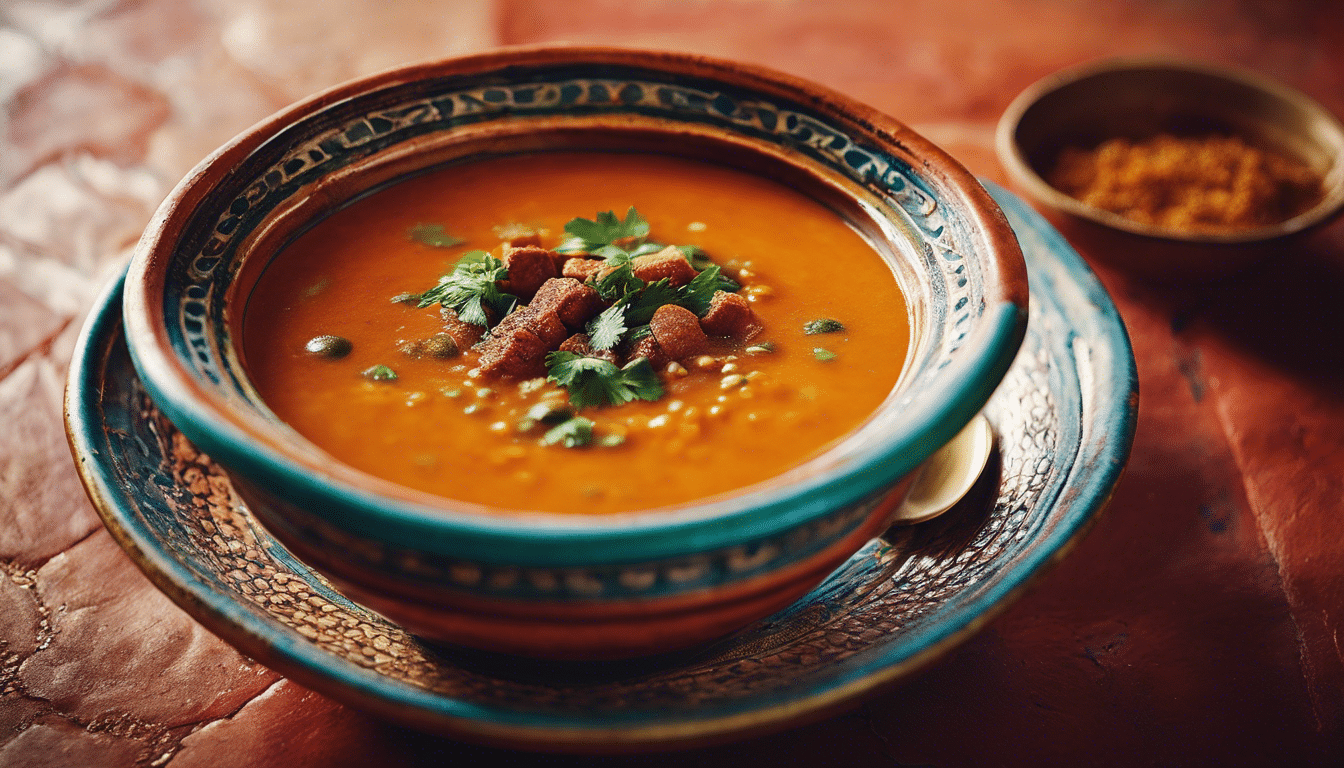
[(1142, 98)]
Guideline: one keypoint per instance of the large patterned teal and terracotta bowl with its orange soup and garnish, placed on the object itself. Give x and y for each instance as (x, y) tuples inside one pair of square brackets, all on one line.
[(576, 353)]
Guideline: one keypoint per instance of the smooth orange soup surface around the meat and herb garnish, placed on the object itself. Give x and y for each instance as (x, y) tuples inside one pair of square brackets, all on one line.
[(339, 348)]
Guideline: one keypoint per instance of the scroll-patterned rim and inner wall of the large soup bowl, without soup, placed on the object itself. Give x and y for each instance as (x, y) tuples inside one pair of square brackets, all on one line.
[(948, 244)]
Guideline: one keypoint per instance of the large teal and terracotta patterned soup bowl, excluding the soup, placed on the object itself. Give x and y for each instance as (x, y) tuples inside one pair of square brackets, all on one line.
[(568, 586)]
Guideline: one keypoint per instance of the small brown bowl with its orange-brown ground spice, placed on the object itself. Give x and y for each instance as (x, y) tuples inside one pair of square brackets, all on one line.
[(1175, 170)]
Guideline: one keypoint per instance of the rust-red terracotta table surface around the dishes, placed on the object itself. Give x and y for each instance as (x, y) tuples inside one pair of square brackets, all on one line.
[(1200, 623)]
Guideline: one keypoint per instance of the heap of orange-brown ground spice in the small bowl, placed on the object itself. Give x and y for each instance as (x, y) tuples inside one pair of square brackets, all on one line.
[(1205, 184)]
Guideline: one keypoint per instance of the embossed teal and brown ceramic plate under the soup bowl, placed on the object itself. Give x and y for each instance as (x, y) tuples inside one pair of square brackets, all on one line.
[(1064, 419)]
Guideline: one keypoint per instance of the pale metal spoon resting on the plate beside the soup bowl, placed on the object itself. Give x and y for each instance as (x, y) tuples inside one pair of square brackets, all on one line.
[(950, 474)]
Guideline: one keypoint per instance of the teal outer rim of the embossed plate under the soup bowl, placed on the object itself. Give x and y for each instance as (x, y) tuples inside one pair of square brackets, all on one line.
[(1107, 443)]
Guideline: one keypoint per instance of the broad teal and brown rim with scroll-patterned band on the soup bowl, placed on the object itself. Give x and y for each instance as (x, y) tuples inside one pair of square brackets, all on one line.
[(353, 122)]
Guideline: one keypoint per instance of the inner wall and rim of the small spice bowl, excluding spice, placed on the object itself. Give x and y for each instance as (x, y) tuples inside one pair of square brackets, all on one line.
[(1139, 100)]
